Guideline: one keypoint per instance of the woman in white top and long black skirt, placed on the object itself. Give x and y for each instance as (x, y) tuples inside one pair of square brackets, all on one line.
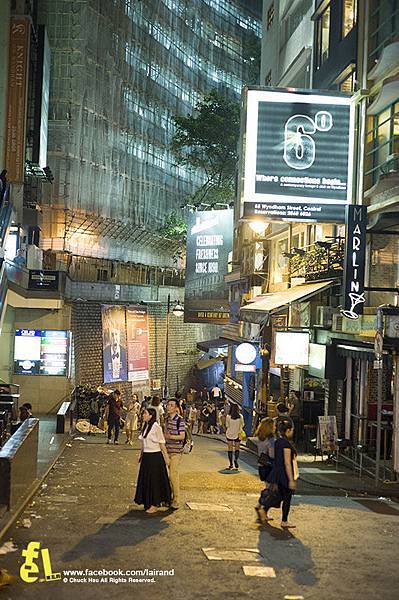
[(153, 487)]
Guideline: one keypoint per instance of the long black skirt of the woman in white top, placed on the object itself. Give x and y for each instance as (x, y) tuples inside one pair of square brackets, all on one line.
[(153, 486)]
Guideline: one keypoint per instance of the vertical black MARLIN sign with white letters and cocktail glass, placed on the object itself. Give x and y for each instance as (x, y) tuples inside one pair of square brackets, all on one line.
[(355, 256)]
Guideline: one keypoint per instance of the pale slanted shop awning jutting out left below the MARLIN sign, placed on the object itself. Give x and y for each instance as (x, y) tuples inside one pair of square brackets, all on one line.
[(256, 311)]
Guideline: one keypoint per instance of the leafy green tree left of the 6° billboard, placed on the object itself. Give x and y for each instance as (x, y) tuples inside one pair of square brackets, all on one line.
[(207, 141)]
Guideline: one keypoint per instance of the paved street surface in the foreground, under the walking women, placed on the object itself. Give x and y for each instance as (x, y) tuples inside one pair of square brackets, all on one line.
[(85, 517)]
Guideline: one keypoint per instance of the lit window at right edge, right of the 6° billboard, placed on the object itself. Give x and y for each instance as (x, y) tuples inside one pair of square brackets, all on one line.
[(382, 142)]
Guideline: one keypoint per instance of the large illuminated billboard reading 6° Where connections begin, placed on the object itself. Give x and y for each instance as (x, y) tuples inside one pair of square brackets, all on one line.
[(298, 154)]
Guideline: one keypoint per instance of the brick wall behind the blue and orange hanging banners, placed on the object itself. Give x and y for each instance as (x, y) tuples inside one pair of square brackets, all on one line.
[(183, 337)]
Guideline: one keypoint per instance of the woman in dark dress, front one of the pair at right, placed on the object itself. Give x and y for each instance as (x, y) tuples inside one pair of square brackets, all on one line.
[(283, 476)]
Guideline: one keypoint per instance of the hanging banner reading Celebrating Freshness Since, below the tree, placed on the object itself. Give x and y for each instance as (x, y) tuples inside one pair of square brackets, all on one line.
[(209, 244)]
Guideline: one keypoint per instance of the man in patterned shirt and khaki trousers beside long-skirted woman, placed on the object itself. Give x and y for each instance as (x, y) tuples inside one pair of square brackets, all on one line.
[(174, 435)]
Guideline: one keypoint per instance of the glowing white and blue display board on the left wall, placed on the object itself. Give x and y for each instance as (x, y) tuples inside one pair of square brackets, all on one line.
[(42, 352)]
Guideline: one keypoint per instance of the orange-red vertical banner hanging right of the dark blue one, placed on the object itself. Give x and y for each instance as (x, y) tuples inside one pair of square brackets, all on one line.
[(137, 343)]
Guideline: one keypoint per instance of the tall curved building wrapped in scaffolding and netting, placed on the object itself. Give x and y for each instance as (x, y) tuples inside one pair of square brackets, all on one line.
[(121, 69)]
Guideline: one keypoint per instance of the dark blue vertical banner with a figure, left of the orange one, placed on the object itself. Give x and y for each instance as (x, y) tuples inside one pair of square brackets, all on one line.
[(114, 343)]
